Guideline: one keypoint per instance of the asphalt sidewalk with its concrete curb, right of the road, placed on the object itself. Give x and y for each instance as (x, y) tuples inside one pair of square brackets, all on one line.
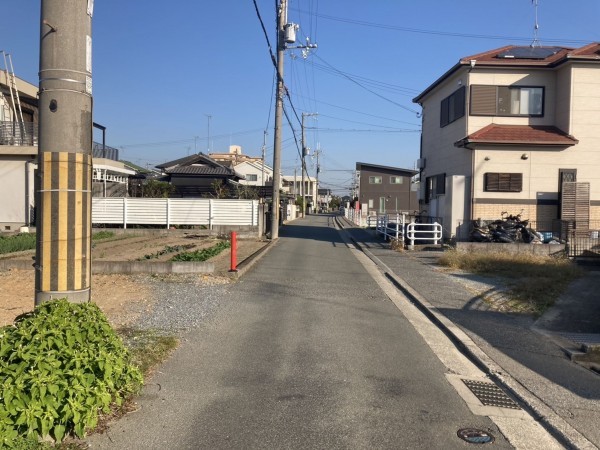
[(527, 357)]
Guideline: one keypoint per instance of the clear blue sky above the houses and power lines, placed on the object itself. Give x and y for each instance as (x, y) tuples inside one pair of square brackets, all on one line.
[(161, 68)]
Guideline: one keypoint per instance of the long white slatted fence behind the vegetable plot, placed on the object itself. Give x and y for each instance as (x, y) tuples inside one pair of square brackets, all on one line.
[(174, 211)]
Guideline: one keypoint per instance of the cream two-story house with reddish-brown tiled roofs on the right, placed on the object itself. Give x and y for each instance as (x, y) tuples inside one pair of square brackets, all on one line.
[(514, 129)]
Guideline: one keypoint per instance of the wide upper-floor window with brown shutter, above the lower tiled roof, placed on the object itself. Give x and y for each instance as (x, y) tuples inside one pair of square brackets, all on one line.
[(507, 101)]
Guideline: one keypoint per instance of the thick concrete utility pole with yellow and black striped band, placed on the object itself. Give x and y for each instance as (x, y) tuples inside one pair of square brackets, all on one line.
[(64, 191)]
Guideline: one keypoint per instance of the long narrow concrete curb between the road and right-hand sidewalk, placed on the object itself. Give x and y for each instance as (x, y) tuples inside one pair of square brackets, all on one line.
[(550, 420)]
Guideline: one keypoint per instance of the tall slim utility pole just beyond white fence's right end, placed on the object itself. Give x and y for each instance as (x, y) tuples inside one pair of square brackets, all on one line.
[(281, 21)]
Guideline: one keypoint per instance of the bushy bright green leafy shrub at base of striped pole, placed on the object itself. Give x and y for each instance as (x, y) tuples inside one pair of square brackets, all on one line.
[(60, 366)]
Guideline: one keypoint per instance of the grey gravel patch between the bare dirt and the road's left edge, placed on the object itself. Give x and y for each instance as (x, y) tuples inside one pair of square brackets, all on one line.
[(182, 302)]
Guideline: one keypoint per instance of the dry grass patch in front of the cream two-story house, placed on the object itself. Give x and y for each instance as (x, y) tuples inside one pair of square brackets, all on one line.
[(535, 281)]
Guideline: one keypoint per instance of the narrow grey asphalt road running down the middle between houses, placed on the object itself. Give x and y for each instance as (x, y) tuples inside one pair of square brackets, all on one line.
[(307, 351)]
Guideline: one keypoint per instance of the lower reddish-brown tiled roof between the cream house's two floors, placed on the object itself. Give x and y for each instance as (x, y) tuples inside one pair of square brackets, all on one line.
[(518, 135)]
